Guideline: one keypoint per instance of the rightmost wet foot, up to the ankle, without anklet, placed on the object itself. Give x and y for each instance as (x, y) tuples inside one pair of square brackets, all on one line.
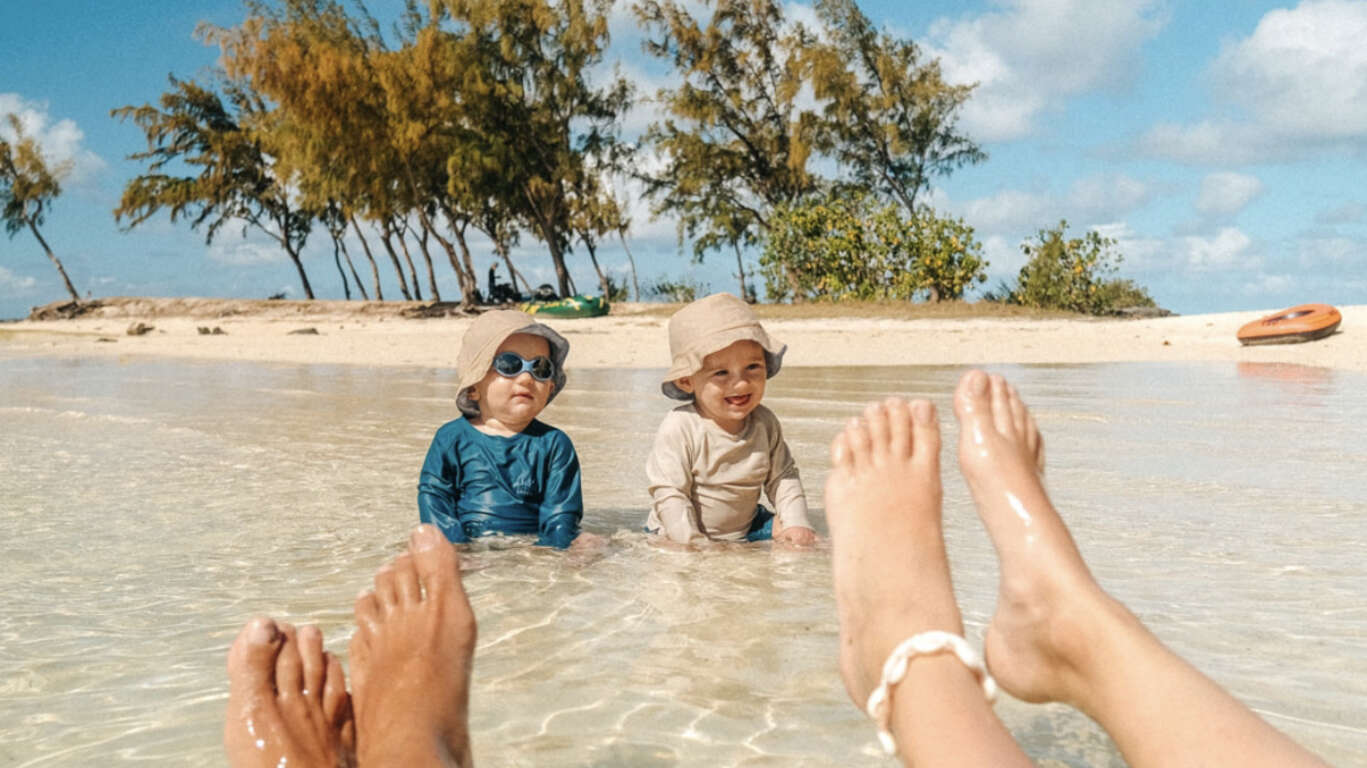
[(1048, 605)]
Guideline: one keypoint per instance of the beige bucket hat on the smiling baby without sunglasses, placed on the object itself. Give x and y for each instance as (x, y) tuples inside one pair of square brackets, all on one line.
[(712, 325)]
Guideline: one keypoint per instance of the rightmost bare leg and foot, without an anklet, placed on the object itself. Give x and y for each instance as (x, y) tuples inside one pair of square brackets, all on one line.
[(1057, 636)]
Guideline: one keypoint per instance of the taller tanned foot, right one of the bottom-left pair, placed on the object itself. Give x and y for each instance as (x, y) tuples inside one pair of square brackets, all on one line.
[(412, 658)]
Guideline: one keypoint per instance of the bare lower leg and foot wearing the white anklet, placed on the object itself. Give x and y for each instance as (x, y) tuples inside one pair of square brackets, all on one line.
[(892, 581)]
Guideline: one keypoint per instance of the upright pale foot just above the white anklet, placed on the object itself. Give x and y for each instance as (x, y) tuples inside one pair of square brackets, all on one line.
[(884, 506)]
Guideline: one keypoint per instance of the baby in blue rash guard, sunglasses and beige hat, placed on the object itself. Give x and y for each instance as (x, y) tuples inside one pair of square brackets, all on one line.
[(498, 469)]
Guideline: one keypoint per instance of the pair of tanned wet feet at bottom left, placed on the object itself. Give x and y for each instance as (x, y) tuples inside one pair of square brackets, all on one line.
[(412, 658)]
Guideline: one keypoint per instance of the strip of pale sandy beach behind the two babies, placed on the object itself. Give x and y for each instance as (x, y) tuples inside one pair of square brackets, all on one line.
[(635, 335)]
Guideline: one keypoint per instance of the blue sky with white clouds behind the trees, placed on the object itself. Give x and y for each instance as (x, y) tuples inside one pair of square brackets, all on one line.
[(1220, 143)]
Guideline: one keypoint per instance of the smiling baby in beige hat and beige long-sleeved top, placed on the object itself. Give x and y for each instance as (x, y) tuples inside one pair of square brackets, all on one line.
[(717, 453)]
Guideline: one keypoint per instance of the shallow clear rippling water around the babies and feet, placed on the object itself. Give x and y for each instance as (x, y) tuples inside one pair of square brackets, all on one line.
[(148, 509)]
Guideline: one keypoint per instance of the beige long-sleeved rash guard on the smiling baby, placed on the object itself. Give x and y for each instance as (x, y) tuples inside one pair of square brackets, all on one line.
[(706, 483)]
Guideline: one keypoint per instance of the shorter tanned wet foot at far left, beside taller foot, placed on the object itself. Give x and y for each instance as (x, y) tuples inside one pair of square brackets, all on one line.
[(288, 702)]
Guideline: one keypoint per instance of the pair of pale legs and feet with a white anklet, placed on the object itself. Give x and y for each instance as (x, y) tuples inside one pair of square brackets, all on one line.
[(1056, 635)]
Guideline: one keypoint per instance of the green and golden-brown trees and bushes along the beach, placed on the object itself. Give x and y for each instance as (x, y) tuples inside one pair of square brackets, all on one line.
[(501, 117)]
